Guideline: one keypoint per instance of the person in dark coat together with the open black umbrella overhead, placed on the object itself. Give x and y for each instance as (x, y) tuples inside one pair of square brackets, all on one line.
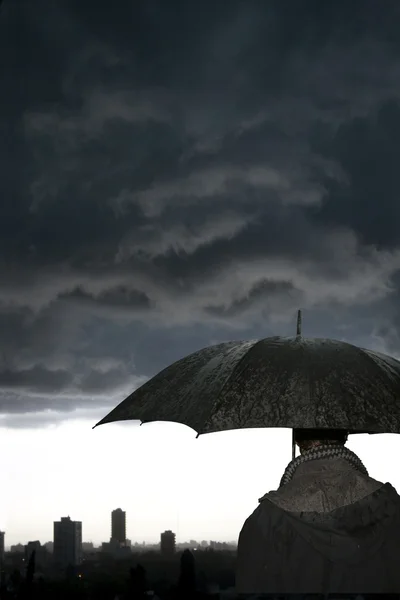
[(302, 384)]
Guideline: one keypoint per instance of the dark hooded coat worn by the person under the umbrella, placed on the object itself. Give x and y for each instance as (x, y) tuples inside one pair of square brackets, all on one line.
[(331, 529)]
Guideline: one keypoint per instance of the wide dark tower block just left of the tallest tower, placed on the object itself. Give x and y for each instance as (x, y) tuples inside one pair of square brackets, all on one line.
[(67, 550)]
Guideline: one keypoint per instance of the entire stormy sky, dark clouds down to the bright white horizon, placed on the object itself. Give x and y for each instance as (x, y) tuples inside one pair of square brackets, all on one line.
[(177, 174)]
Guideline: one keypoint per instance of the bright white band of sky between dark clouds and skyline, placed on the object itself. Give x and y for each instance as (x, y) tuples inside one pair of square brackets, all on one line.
[(160, 474)]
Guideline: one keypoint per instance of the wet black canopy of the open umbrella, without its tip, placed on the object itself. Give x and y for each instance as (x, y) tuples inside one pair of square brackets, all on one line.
[(275, 382)]
